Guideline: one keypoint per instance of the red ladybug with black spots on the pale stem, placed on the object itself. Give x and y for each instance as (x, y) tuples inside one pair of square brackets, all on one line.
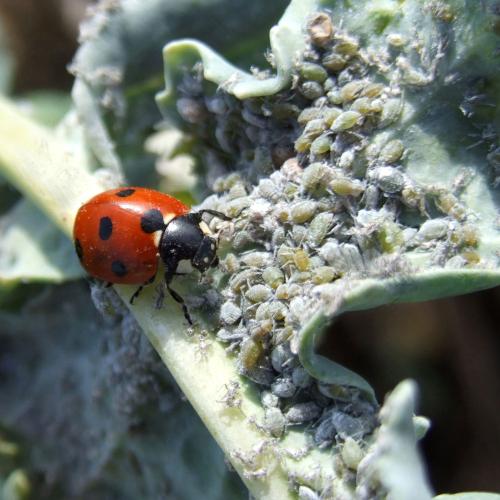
[(121, 234)]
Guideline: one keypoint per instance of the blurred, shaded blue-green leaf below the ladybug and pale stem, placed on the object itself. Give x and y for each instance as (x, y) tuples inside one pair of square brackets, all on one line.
[(97, 413)]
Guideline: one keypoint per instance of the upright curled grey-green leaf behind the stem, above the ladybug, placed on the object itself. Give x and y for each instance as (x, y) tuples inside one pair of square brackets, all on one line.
[(115, 98)]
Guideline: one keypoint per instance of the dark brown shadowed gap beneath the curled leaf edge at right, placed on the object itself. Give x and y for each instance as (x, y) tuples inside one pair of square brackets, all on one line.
[(452, 349)]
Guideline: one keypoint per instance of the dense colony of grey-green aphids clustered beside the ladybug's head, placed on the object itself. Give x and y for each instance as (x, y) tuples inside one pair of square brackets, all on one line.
[(330, 201)]
